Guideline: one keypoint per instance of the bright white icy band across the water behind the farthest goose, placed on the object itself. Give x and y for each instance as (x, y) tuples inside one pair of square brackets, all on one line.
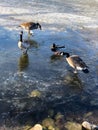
[(11, 17)]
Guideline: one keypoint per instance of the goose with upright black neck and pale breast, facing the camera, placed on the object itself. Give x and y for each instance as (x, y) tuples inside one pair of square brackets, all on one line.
[(22, 45)]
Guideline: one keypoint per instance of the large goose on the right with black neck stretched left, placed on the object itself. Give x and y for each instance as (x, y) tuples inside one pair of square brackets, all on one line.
[(76, 62)]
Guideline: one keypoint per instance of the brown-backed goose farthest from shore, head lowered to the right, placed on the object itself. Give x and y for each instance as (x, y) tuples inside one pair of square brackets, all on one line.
[(30, 26)]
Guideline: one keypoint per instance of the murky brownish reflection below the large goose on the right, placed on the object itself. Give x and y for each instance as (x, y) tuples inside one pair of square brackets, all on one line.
[(73, 80)]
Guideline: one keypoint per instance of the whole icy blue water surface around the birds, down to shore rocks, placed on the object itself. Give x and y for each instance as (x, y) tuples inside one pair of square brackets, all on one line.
[(72, 23)]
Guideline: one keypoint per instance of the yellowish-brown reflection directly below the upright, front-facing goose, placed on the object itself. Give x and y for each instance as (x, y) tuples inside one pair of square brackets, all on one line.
[(23, 62)]
